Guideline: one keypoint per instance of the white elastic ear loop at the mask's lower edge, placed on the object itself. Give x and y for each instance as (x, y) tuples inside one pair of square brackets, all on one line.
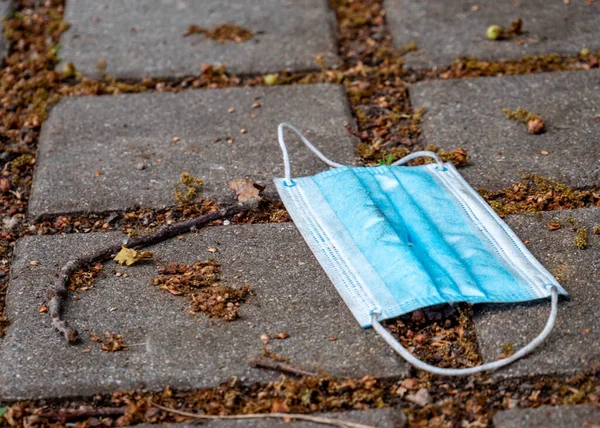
[(387, 336)]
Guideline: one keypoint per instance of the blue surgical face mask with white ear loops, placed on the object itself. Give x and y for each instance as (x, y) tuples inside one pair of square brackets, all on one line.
[(394, 238)]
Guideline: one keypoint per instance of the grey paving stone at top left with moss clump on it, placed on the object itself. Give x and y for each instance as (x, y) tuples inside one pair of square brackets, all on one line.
[(144, 38)]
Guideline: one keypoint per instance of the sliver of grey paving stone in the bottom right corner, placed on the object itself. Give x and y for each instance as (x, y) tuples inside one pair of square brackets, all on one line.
[(581, 416)]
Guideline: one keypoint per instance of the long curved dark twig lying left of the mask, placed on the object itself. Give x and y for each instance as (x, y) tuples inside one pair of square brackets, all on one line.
[(58, 293)]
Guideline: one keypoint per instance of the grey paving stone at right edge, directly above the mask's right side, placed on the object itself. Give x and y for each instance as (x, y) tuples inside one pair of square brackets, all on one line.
[(468, 113)]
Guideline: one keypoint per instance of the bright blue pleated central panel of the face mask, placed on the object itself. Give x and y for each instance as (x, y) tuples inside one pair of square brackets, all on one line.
[(413, 231)]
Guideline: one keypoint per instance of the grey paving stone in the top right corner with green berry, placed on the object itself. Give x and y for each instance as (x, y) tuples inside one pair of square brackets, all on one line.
[(446, 30)]
